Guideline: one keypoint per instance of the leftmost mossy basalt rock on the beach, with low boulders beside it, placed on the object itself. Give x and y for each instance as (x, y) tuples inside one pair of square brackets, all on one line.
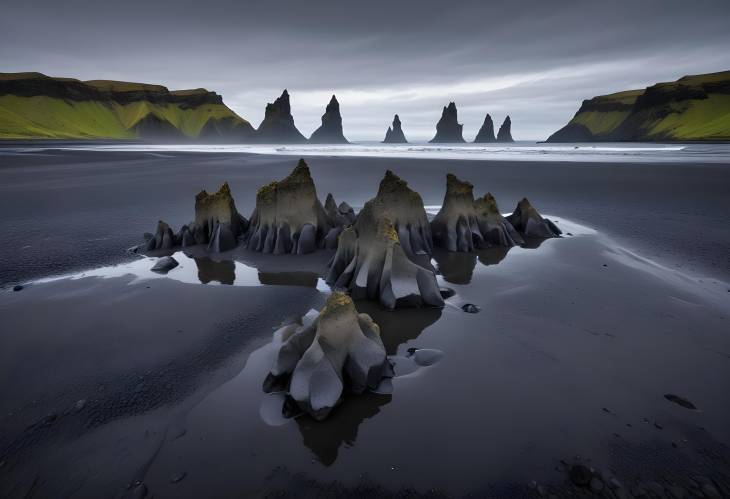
[(217, 224)]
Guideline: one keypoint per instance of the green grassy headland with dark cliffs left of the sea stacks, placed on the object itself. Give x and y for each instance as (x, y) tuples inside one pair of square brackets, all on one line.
[(36, 106)]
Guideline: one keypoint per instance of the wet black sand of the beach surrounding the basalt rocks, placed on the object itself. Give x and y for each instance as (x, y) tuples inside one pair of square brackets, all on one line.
[(577, 343)]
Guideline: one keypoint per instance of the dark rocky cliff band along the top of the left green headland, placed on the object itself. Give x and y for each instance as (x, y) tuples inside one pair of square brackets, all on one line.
[(37, 84)]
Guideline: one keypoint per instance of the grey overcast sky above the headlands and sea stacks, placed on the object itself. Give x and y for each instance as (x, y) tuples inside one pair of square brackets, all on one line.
[(535, 60)]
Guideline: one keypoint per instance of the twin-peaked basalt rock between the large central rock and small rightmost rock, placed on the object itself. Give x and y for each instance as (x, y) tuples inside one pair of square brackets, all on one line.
[(464, 225)]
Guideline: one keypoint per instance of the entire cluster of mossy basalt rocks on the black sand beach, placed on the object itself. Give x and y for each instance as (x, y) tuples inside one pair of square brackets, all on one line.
[(382, 254)]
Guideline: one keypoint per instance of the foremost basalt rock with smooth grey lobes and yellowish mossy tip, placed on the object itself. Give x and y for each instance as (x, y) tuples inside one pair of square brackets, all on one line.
[(334, 351)]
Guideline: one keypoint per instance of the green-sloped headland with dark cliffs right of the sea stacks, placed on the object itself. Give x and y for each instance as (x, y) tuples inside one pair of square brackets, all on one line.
[(693, 108)]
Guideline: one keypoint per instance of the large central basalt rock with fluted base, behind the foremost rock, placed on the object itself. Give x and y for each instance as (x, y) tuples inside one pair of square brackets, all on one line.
[(372, 258)]
